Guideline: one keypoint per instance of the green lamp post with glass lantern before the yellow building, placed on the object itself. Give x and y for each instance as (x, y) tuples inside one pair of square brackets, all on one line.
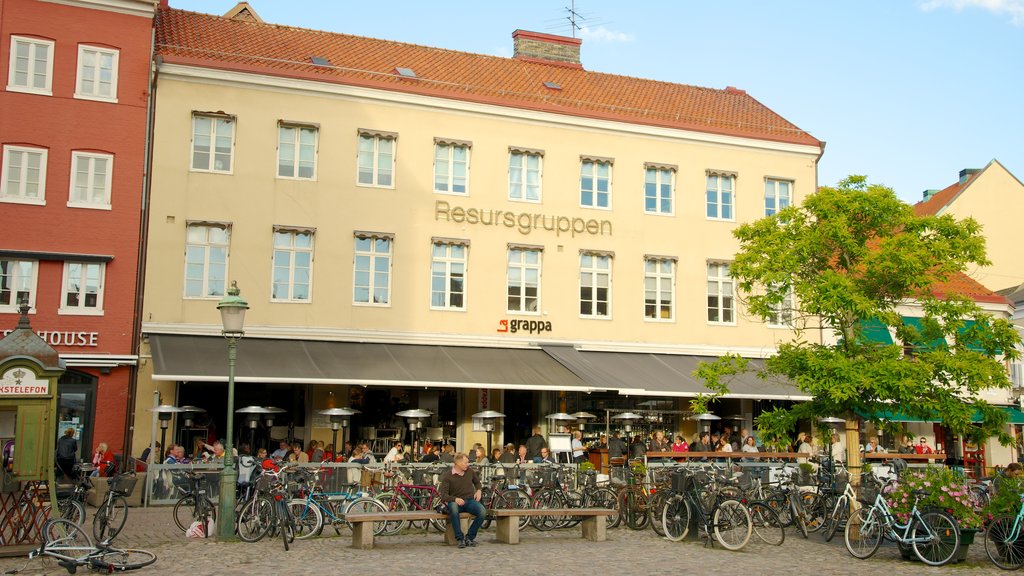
[(233, 316)]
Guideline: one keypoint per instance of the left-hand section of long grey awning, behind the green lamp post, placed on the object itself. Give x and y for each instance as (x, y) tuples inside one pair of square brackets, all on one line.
[(199, 359)]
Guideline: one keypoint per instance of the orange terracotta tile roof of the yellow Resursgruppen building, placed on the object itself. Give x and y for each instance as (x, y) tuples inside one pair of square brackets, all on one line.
[(206, 40)]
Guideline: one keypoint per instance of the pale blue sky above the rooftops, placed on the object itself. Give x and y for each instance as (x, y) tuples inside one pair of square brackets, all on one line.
[(907, 93)]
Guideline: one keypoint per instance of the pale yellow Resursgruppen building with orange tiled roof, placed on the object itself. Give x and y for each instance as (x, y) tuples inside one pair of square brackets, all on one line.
[(415, 227)]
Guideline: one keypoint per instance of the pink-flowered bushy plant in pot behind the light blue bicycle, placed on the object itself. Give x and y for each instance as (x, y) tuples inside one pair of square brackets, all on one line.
[(948, 491)]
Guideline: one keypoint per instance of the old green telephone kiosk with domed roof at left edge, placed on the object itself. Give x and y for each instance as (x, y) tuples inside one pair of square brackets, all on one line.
[(29, 373)]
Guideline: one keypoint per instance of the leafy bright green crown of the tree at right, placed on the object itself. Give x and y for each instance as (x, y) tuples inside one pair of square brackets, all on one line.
[(846, 260)]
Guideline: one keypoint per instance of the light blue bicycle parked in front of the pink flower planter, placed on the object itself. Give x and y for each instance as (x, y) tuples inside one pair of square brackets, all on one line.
[(934, 536)]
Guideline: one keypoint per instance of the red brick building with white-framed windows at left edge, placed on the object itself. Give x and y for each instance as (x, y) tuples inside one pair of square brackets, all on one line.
[(74, 102)]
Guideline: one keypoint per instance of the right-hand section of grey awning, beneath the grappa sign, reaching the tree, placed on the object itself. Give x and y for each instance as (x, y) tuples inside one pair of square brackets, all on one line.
[(663, 375)]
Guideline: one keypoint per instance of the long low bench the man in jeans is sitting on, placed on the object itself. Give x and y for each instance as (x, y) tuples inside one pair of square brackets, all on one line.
[(594, 525)]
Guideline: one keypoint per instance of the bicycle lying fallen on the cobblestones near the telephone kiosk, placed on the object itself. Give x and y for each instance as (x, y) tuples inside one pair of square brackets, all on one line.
[(66, 543)]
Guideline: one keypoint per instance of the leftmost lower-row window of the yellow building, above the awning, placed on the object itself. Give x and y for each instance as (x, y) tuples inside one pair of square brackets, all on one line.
[(206, 260)]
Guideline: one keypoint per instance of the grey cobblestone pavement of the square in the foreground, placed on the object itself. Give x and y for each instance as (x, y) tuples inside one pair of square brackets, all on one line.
[(626, 552)]
